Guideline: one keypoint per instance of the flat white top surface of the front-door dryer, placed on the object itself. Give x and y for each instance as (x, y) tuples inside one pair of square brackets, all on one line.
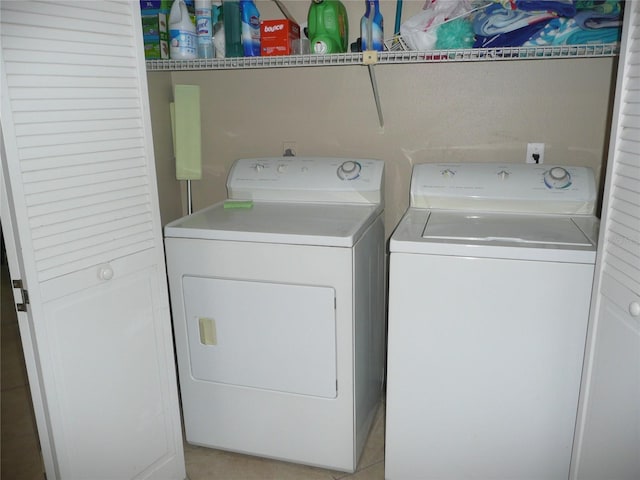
[(274, 222)]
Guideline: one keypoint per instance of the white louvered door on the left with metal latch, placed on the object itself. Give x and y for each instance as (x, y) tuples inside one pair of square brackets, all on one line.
[(82, 208)]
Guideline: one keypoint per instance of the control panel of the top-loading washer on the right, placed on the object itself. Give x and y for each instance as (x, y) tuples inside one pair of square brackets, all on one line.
[(504, 187)]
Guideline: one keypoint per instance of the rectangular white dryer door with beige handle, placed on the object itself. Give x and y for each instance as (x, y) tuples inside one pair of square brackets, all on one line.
[(271, 336)]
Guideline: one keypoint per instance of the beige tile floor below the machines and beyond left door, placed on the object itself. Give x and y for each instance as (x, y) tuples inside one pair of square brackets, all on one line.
[(21, 458)]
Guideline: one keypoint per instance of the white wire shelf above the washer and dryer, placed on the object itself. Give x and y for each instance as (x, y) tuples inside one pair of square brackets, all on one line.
[(390, 57)]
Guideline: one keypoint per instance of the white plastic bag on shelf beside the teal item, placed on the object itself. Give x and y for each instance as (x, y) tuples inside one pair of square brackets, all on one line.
[(420, 33)]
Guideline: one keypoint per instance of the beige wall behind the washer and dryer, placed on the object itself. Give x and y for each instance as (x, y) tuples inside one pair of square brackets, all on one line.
[(462, 112)]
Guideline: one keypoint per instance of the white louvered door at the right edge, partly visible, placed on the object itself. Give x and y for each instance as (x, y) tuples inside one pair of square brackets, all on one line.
[(607, 444)]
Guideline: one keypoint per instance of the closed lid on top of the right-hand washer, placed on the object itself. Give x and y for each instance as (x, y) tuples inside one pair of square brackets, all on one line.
[(504, 228)]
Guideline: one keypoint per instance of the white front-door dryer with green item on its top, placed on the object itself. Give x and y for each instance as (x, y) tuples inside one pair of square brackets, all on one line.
[(278, 303)]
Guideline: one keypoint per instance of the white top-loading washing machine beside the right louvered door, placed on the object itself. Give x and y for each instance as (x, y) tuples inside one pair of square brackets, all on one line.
[(490, 281)]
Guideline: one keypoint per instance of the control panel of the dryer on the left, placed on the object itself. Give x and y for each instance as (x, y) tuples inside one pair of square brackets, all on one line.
[(307, 179)]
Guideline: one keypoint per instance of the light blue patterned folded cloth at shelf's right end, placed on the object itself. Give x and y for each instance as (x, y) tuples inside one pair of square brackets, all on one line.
[(566, 31)]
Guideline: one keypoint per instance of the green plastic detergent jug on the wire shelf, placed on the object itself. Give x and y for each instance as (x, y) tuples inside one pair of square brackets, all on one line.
[(328, 26)]
